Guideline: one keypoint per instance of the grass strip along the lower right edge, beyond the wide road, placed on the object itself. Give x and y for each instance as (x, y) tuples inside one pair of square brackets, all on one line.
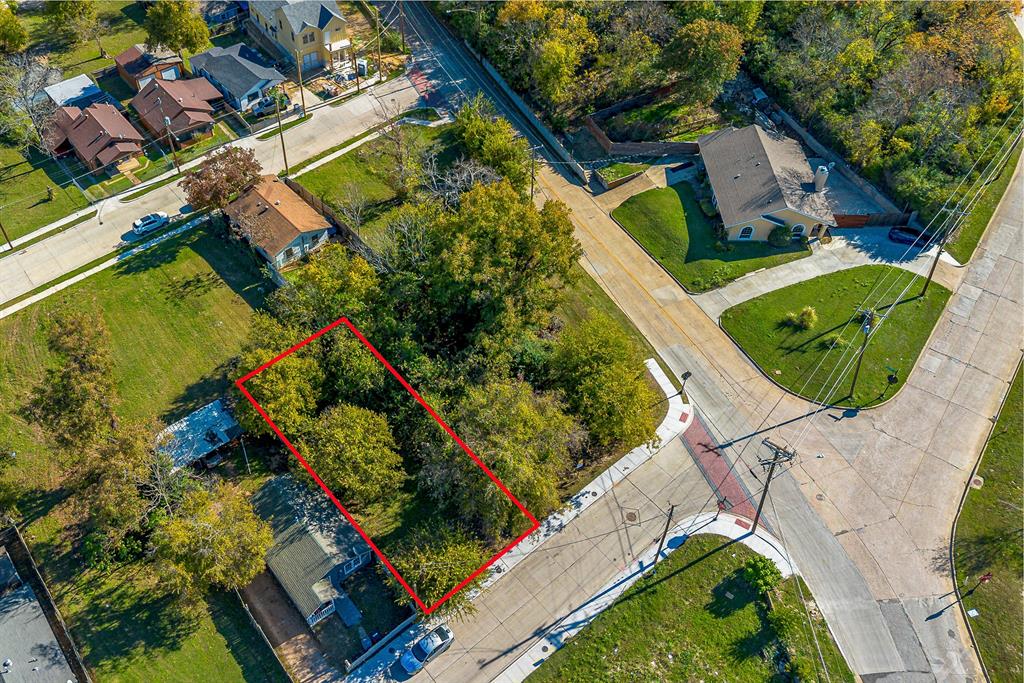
[(989, 539)]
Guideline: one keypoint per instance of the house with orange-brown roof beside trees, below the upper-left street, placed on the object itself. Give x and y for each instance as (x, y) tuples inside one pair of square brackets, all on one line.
[(281, 227)]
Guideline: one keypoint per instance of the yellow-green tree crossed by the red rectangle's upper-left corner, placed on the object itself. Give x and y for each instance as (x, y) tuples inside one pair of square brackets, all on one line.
[(289, 390)]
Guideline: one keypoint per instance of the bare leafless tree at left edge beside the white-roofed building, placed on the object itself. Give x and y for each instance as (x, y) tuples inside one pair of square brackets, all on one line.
[(26, 113)]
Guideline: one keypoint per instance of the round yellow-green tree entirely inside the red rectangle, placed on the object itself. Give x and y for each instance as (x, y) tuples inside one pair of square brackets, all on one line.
[(354, 453)]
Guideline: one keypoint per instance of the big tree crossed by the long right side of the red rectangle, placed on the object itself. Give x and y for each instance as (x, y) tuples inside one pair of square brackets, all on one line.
[(525, 439)]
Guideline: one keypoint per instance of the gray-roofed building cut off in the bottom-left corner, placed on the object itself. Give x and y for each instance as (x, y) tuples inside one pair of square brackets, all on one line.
[(30, 652)]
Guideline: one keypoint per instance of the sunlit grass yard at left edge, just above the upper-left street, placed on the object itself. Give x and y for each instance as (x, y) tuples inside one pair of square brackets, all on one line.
[(24, 203)]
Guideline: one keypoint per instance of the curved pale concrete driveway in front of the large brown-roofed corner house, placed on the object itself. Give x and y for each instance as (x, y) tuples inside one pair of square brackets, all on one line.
[(849, 249)]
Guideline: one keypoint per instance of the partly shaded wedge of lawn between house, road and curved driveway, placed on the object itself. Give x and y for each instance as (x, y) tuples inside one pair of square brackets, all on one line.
[(670, 225)]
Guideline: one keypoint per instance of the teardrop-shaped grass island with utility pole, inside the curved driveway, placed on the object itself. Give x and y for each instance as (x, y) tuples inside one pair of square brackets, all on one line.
[(786, 354)]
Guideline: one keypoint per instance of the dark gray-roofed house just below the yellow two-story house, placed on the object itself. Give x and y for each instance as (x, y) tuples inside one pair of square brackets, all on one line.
[(239, 73)]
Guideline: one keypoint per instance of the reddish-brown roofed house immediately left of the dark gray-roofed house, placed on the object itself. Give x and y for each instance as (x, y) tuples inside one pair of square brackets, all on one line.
[(186, 108)]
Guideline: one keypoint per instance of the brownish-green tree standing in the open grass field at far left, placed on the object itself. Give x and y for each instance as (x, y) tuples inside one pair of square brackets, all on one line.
[(75, 401)]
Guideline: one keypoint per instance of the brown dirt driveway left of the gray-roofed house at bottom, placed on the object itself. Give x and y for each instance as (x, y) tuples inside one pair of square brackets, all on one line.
[(288, 633)]
